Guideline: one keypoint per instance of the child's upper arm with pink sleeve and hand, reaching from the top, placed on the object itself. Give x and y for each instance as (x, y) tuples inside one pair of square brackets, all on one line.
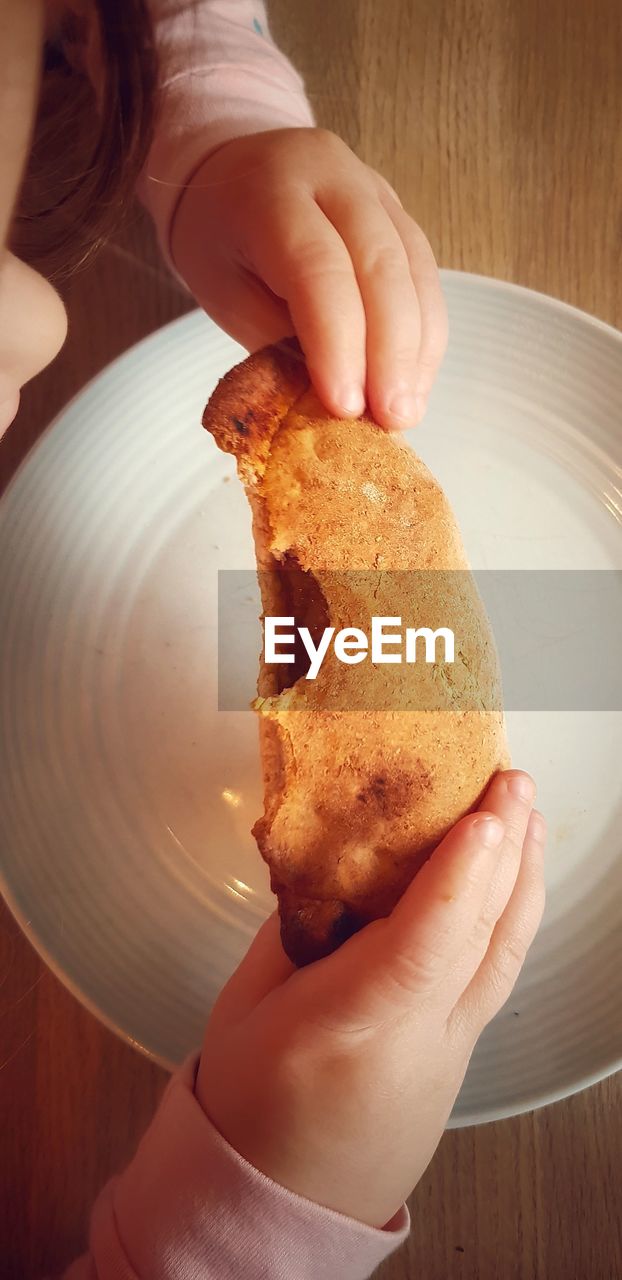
[(277, 227)]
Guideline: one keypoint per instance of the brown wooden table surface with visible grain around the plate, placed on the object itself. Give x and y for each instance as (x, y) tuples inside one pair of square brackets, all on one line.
[(500, 122)]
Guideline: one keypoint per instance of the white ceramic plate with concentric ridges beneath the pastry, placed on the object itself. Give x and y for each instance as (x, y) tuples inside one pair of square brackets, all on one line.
[(126, 798)]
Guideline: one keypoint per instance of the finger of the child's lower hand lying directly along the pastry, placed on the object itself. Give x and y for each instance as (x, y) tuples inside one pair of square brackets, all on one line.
[(395, 963)]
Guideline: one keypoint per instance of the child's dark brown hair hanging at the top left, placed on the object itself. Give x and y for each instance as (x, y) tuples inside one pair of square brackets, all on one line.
[(88, 154)]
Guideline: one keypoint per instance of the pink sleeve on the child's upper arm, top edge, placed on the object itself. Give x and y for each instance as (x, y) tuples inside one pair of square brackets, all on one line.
[(221, 77)]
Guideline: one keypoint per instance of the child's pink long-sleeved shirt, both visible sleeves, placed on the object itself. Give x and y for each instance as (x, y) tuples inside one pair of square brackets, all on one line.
[(189, 1208)]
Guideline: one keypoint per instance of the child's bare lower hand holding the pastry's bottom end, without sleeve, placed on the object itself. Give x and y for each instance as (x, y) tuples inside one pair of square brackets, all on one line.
[(337, 1081)]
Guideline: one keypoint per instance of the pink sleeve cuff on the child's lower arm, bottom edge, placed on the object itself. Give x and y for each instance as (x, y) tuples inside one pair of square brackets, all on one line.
[(189, 1208)]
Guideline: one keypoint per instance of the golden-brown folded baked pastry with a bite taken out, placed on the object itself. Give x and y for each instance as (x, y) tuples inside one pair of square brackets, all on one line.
[(368, 766)]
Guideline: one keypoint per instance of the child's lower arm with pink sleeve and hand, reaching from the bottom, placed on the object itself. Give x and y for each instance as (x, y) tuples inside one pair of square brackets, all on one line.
[(335, 1081)]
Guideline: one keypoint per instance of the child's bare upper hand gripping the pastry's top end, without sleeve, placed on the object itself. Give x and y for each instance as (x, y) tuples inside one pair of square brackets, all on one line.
[(289, 232)]
